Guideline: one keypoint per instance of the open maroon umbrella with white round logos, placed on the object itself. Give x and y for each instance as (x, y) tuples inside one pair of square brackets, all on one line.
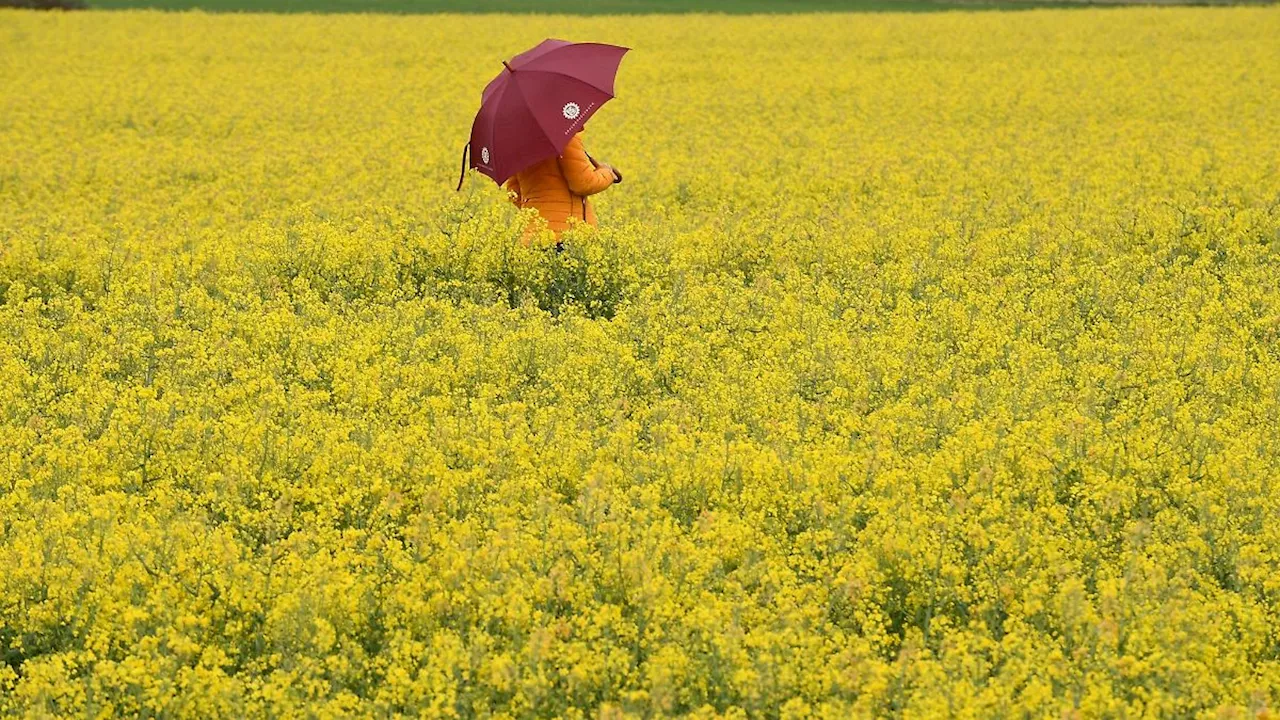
[(537, 104)]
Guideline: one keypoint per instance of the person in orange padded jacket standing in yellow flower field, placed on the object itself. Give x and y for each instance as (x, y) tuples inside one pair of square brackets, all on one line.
[(559, 188)]
